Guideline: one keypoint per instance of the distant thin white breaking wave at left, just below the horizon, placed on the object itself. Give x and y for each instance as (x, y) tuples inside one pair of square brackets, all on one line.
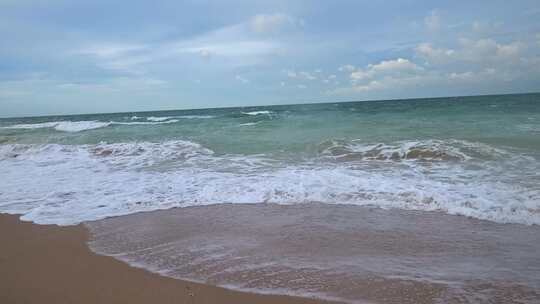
[(78, 126)]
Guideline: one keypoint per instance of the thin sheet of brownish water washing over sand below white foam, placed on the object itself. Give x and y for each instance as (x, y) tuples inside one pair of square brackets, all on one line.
[(339, 252)]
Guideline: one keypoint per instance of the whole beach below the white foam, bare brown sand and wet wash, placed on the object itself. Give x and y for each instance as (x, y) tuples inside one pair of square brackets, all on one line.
[(313, 251)]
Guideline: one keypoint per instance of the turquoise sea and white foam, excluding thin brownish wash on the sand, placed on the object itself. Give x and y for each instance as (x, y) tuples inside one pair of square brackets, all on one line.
[(476, 156)]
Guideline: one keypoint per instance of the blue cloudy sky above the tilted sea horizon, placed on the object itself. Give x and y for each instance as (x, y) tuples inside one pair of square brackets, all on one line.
[(64, 57)]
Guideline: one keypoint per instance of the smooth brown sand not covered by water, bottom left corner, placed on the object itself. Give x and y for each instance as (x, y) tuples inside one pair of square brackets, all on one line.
[(53, 264)]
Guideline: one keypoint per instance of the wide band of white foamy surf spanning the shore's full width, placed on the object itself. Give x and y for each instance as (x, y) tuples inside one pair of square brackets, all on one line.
[(74, 183)]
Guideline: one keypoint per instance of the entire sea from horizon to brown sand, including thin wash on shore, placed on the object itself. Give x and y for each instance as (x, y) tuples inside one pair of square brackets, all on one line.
[(303, 172)]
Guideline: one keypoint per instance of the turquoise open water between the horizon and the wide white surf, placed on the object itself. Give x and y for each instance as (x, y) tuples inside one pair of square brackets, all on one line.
[(499, 120)]
